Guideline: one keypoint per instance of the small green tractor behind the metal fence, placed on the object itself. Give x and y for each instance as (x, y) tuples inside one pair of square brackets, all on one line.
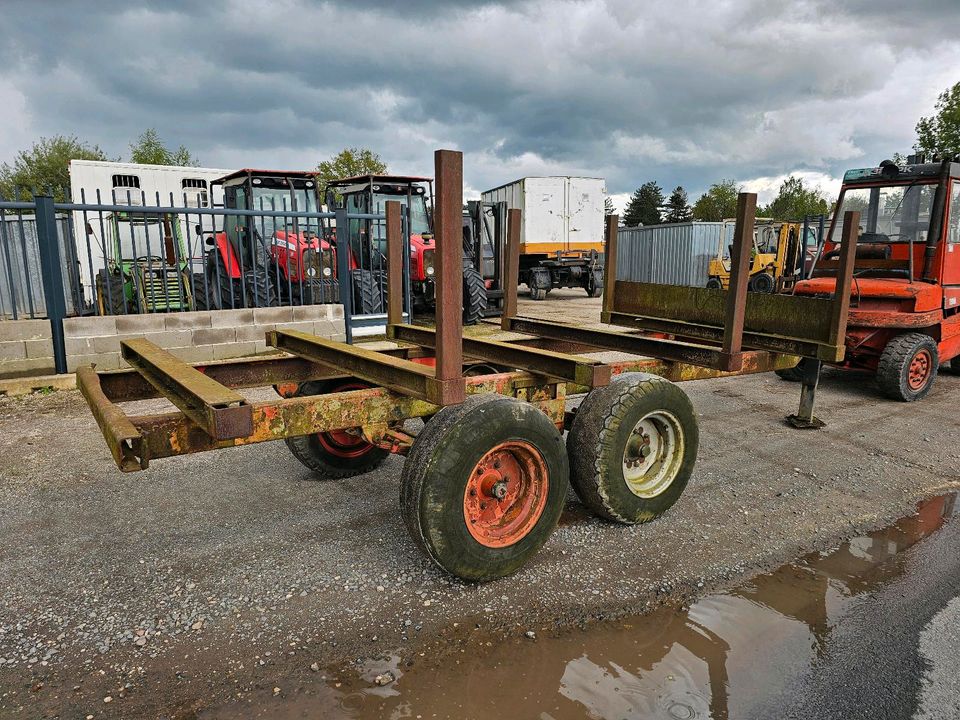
[(146, 265)]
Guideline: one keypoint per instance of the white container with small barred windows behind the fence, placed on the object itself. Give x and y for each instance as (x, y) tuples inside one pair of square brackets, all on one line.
[(135, 184)]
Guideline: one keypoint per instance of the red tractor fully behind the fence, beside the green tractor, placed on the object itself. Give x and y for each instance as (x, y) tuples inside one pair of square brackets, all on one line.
[(257, 259)]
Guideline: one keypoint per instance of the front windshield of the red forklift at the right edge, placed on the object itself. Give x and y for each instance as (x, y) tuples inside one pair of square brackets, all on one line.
[(892, 213)]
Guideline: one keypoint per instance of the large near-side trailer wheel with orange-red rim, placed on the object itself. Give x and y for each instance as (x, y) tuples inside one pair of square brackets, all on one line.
[(484, 486)]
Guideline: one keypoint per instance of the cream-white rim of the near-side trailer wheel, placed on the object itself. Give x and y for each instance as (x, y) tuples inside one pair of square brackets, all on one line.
[(653, 454)]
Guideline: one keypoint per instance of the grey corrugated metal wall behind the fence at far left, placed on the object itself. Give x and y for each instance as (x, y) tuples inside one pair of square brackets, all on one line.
[(21, 283)]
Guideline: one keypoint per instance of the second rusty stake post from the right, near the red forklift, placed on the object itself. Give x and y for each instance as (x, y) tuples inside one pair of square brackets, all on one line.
[(731, 356)]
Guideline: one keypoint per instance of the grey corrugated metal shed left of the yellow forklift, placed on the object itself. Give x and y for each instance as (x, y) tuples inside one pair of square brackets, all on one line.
[(677, 254)]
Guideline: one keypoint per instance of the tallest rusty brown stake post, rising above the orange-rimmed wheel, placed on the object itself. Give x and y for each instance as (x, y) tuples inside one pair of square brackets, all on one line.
[(448, 230)]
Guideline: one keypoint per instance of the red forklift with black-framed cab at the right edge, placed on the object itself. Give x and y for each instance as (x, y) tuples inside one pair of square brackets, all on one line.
[(904, 318)]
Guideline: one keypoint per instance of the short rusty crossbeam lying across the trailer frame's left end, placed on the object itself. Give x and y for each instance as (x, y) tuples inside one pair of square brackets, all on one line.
[(218, 410)]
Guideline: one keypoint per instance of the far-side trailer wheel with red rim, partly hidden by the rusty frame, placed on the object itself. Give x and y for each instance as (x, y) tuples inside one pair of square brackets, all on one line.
[(337, 453)]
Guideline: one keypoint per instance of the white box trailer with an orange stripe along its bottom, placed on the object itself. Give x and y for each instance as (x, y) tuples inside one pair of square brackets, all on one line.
[(561, 234)]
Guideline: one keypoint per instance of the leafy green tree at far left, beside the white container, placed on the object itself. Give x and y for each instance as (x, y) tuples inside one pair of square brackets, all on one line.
[(45, 167)]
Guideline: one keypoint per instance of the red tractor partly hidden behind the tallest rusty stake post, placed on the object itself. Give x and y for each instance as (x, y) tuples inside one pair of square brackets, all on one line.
[(368, 194)]
